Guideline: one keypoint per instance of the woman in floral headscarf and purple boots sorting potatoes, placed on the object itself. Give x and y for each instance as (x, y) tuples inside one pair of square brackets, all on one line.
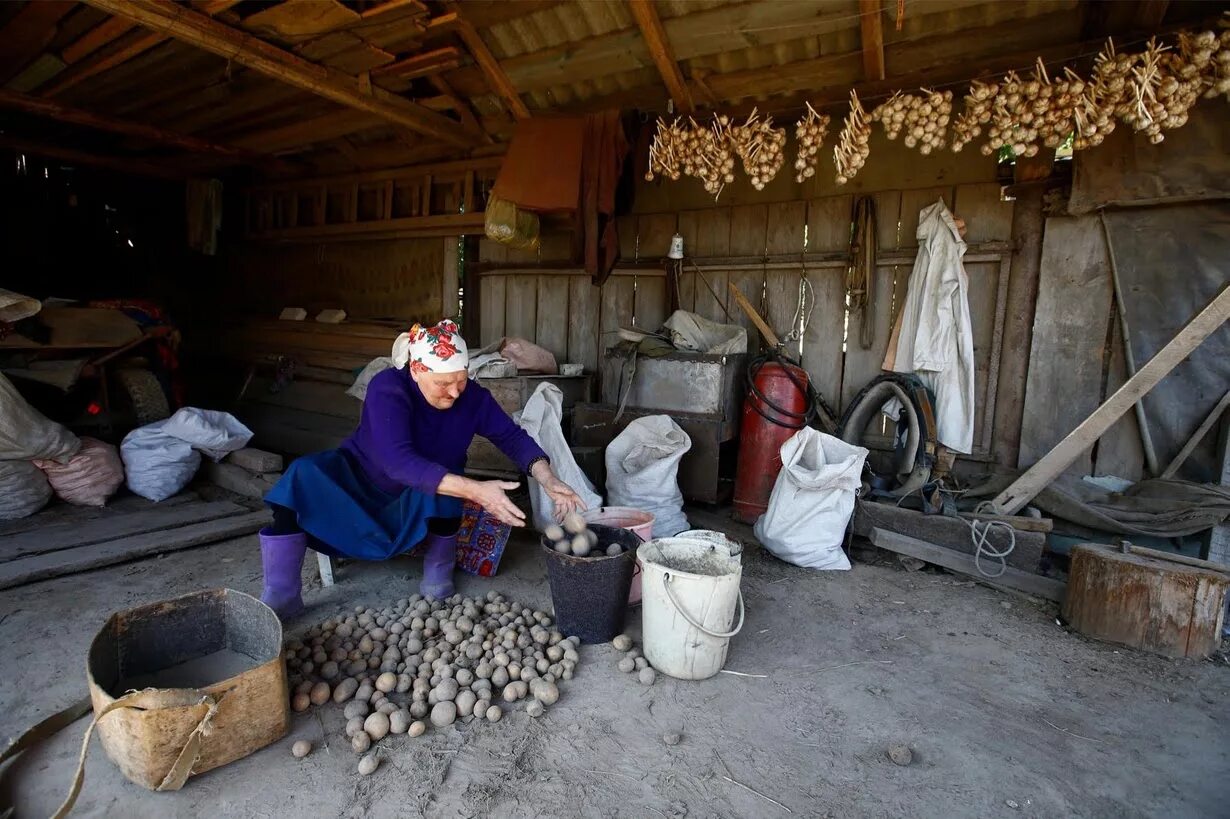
[(399, 481)]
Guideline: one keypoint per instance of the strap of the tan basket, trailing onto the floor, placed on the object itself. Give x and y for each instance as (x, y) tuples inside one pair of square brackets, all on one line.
[(147, 700)]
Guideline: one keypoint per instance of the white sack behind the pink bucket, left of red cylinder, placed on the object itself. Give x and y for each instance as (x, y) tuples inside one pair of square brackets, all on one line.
[(643, 472)]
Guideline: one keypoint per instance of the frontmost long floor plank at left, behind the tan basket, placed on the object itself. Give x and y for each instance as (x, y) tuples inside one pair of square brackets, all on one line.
[(73, 561)]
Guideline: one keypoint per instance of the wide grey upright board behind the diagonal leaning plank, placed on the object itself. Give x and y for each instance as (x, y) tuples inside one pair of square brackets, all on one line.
[(1069, 338)]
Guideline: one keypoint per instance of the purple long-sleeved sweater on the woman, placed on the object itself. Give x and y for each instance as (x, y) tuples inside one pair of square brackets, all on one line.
[(405, 442)]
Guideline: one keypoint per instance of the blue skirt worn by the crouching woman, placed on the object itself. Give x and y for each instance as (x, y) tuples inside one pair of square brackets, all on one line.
[(350, 517)]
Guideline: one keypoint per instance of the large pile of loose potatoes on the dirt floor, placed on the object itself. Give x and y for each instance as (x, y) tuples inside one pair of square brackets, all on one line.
[(424, 661)]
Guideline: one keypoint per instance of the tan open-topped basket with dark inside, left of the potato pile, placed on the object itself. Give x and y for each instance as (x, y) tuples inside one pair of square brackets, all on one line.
[(169, 735)]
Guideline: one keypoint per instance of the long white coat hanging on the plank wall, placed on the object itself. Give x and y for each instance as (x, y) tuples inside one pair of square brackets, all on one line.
[(937, 339)]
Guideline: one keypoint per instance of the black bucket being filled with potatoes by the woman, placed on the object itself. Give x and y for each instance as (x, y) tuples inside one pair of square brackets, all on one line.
[(591, 593)]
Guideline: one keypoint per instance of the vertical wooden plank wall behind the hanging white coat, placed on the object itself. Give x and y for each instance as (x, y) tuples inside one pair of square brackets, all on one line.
[(771, 253)]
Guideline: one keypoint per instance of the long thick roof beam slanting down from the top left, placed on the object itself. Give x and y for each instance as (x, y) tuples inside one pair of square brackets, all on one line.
[(204, 33)]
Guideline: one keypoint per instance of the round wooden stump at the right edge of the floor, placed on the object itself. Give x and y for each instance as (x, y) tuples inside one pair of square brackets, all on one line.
[(1147, 603)]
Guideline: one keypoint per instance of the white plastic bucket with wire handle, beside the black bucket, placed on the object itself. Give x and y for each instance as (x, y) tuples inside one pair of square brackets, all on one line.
[(691, 592)]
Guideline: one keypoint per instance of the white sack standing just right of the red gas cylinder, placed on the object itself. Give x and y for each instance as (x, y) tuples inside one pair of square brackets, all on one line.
[(812, 501)]
